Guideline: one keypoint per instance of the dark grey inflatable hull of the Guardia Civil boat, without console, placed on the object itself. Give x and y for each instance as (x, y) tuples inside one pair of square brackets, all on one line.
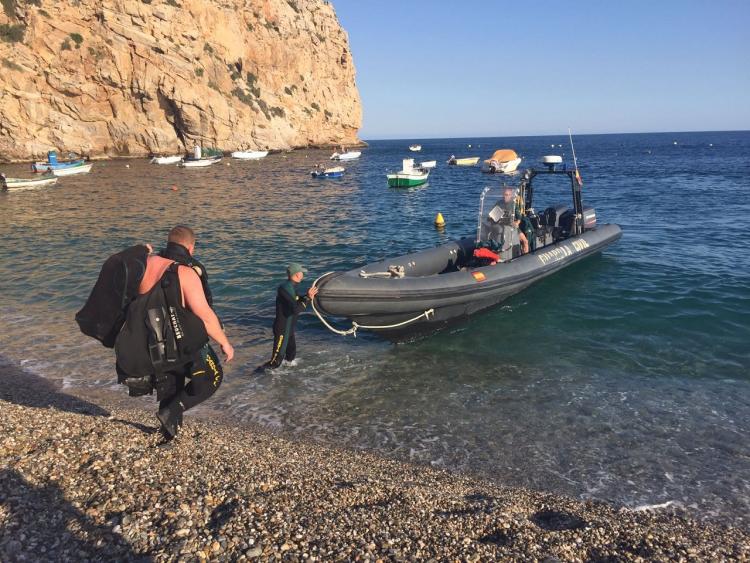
[(452, 295)]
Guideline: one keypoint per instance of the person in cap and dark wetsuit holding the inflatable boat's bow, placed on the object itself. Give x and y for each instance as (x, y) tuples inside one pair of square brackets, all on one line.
[(289, 304)]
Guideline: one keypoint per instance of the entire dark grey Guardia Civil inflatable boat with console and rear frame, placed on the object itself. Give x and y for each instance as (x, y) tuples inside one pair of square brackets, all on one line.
[(423, 291)]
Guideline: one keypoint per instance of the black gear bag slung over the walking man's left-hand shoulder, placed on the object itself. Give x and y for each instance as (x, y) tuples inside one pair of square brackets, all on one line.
[(104, 312)]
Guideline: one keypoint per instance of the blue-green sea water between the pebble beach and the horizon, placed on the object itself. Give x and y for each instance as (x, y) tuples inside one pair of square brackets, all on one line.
[(625, 377)]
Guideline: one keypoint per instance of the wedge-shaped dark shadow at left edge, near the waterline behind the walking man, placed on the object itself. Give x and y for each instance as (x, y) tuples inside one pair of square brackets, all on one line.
[(21, 387)]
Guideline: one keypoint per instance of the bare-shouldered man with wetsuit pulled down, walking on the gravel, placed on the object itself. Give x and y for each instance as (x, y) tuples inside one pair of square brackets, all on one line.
[(181, 389)]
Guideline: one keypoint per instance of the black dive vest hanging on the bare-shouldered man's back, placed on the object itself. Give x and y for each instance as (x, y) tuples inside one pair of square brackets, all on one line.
[(159, 334)]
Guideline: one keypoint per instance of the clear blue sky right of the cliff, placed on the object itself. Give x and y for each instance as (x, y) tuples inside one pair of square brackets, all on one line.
[(482, 68)]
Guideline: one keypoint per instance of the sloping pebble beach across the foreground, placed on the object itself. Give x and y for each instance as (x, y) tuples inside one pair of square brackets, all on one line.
[(83, 480)]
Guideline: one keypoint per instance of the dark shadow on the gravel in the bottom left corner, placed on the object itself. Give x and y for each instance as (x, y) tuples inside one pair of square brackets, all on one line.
[(39, 524)]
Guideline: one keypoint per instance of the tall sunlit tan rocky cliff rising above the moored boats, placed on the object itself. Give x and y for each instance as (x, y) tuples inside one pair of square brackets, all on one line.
[(131, 77)]
